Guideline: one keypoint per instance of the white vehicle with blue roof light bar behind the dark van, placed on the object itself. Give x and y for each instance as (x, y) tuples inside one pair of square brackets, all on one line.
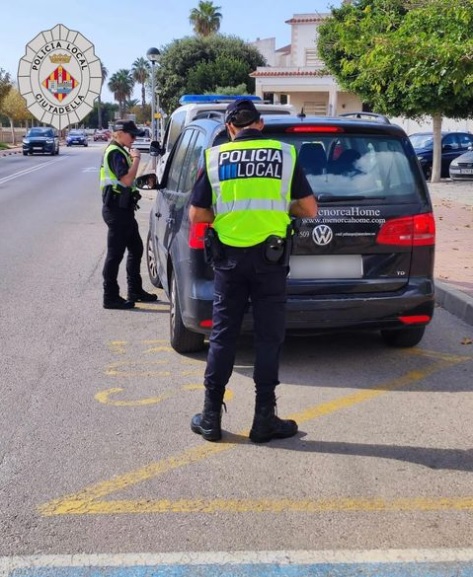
[(194, 106)]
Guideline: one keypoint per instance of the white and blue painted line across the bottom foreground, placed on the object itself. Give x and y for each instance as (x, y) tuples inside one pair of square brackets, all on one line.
[(390, 563)]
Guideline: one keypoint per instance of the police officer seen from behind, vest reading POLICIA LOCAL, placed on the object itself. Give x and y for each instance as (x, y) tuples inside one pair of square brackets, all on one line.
[(248, 190)]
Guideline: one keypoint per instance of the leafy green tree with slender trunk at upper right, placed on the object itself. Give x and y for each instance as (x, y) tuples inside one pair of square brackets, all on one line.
[(404, 58)]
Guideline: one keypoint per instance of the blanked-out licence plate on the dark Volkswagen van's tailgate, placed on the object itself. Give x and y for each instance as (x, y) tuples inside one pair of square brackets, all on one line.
[(326, 266)]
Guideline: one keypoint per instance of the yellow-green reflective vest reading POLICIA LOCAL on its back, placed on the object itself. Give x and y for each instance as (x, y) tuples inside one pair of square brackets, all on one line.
[(251, 189)]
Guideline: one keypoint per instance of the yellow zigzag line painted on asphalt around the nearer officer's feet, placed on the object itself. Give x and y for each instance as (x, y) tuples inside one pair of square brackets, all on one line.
[(88, 501)]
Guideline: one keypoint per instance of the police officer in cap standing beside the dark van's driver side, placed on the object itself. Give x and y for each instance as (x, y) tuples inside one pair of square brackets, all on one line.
[(120, 197)]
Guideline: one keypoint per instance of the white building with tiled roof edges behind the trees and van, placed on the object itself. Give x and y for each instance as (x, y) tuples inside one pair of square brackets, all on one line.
[(294, 75)]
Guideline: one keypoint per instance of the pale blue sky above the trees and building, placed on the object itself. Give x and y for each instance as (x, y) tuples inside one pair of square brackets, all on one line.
[(122, 32)]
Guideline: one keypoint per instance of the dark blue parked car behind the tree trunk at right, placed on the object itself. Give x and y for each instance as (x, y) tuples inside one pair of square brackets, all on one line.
[(454, 144)]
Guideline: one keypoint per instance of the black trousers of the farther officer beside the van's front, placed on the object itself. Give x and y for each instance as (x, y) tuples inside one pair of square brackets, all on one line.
[(123, 234)]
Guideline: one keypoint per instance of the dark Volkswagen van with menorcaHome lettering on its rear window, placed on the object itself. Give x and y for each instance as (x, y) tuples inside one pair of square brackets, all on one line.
[(365, 262)]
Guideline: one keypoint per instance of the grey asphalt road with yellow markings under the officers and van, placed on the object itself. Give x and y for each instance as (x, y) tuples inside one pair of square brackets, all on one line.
[(96, 454)]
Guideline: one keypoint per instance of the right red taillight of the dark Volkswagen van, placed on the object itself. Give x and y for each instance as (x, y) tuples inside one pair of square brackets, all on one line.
[(416, 230)]
